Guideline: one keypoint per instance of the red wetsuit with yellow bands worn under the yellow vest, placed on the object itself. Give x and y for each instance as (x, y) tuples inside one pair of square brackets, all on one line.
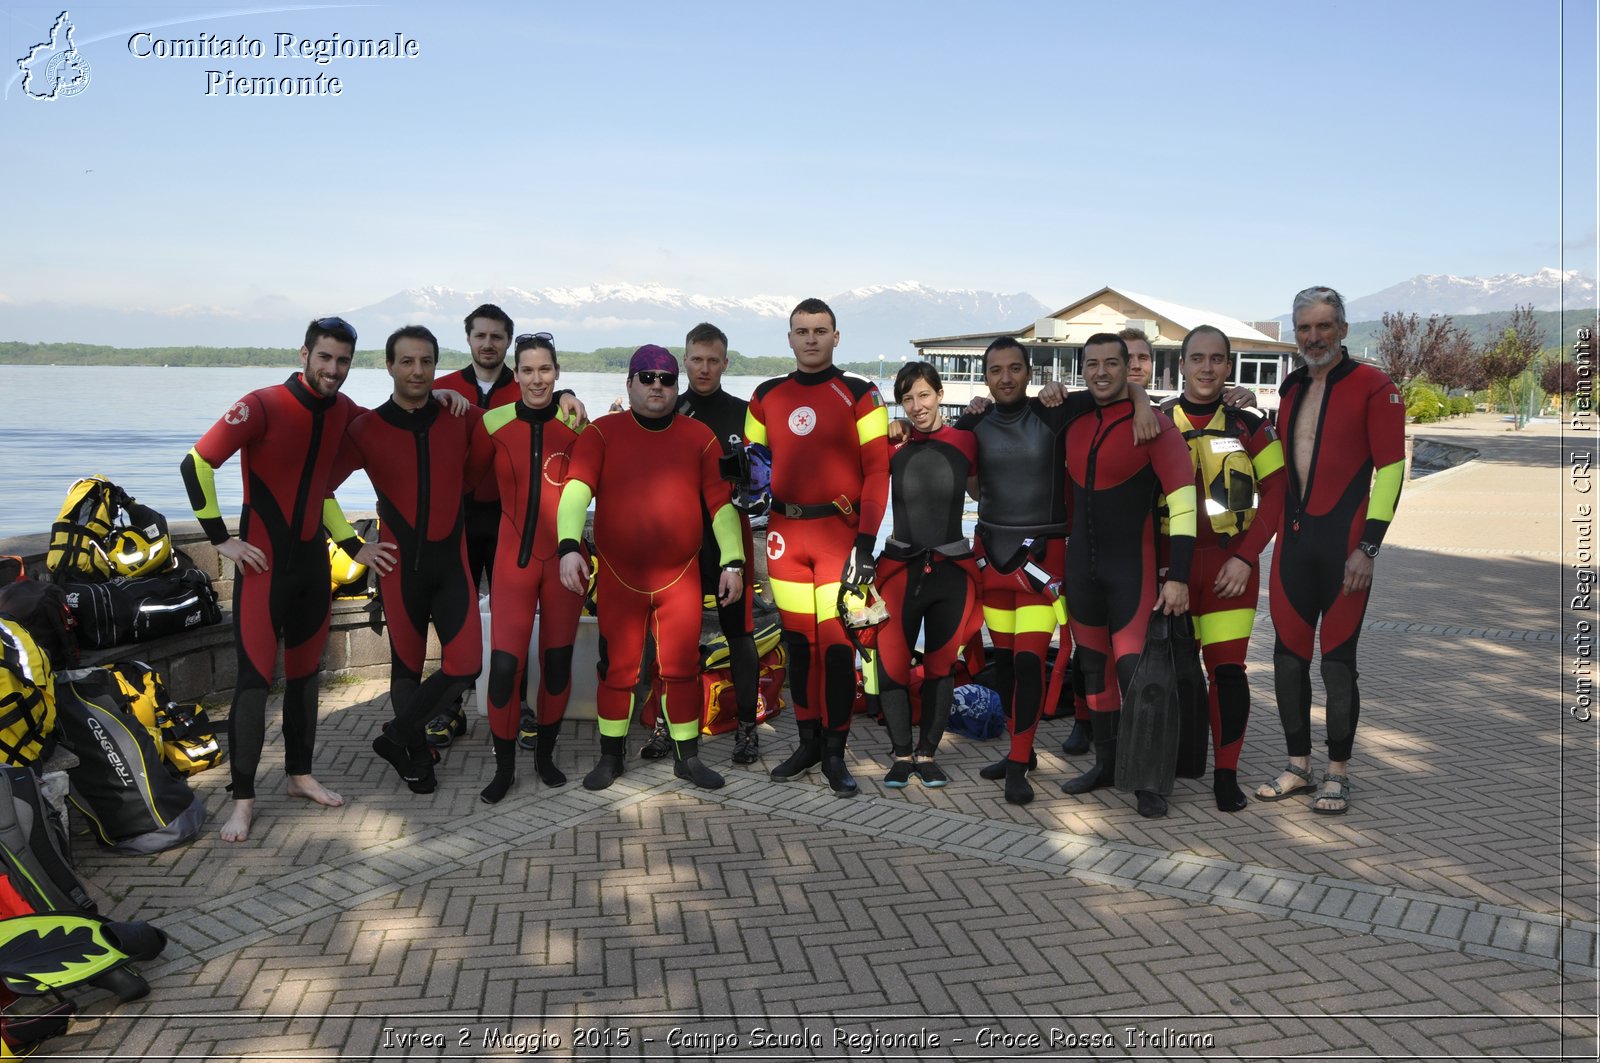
[(1223, 625)]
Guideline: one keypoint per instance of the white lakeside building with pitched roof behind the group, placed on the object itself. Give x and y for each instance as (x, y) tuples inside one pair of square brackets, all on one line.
[(1055, 347)]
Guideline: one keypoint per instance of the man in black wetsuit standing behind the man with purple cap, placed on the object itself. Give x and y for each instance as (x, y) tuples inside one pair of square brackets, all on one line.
[(705, 363)]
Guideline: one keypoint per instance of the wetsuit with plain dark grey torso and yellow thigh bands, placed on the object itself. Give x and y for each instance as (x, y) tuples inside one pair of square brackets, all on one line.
[(1022, 542)]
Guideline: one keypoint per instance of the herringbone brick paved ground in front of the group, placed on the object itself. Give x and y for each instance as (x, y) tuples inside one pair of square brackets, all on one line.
[(1450, 915)]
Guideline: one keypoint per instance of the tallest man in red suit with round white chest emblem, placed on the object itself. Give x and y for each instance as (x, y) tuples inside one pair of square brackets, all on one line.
[(831, 479)]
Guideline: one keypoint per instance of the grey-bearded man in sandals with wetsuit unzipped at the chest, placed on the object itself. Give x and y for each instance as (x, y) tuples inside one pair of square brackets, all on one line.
[(1343, 430)]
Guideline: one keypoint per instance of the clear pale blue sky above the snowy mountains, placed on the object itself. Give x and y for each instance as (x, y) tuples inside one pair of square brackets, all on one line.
[(1217, 156)]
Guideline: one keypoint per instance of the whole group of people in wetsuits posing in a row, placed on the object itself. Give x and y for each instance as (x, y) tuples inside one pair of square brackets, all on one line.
[(1095, 511)]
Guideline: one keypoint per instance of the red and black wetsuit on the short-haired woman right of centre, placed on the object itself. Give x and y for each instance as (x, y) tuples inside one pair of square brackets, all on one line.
[(929, 580)]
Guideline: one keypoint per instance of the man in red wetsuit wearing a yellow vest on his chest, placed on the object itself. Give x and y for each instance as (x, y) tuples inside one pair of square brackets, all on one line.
[(1239, 475)]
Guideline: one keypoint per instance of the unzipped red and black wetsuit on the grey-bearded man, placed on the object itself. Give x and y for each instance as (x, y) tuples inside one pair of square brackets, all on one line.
[(1358, 468)]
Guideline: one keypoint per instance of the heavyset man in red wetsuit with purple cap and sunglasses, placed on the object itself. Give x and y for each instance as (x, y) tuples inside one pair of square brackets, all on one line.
[(650, 471)]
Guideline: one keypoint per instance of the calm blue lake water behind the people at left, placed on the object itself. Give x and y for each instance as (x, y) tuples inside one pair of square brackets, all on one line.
[(135, 423)]
